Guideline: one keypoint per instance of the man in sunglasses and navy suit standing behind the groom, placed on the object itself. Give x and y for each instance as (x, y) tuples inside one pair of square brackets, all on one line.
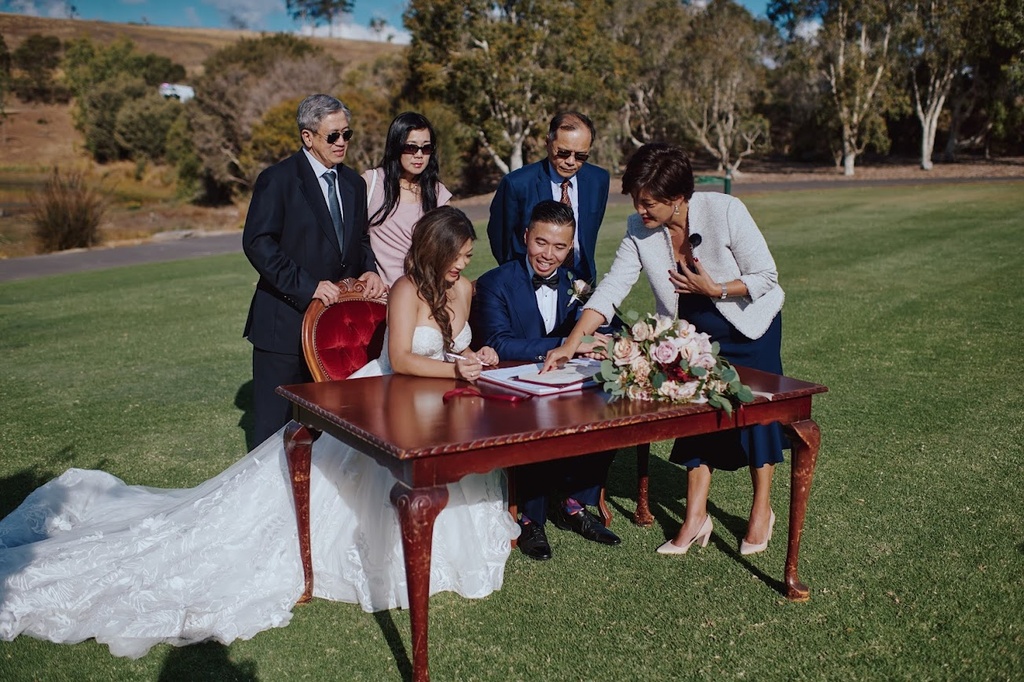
[(564, 177)]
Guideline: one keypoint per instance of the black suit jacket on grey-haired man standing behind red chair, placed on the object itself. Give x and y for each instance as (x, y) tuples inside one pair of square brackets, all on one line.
[(289, 238)]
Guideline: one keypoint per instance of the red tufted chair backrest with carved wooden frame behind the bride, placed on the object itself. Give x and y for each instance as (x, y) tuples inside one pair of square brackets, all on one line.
[(339, 339)]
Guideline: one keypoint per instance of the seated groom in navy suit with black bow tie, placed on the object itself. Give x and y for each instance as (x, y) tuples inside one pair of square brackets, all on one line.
[(523, 310)]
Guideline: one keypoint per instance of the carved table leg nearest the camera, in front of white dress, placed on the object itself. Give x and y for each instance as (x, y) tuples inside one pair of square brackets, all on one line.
[(418, 508)]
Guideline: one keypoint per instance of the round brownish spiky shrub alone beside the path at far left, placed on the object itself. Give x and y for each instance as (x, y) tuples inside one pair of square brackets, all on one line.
[(67, 214)]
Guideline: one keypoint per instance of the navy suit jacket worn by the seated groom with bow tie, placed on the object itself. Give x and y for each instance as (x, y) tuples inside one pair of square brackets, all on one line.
[(505, 316)]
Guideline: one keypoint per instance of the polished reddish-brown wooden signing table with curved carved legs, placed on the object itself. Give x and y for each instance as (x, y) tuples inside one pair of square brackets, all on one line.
[(405, 425)]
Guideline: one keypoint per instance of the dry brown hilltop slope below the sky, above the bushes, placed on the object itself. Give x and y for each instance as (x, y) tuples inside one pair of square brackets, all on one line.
[(190, 48)]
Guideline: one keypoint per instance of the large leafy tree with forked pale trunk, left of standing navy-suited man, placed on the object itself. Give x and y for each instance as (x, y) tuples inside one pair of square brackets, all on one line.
[(506, 67)]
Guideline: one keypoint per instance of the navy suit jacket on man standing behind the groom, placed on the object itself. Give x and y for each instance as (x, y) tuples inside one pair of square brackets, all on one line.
[(521, 191)]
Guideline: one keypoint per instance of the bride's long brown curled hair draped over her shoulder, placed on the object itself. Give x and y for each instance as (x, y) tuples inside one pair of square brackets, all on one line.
[(438, 238)]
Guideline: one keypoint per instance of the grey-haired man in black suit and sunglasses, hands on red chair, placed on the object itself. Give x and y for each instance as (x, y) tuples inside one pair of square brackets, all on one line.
[(307, 229)]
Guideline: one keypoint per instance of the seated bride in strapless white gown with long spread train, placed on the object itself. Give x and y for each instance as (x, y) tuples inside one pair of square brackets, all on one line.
[(88, 557)]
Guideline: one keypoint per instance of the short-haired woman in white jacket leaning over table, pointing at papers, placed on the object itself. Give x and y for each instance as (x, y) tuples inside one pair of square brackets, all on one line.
[(707, 263)]
